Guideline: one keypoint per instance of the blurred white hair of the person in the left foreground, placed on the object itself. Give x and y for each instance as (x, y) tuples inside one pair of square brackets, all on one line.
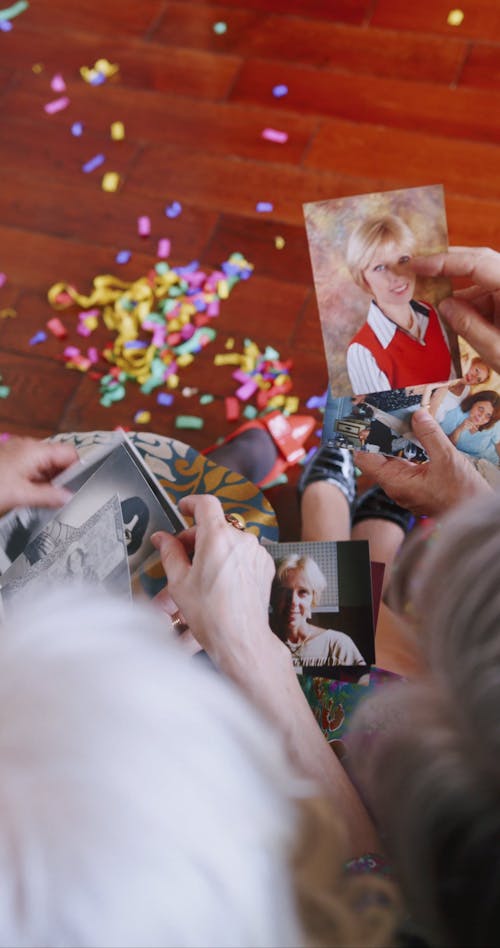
[(142, 801)]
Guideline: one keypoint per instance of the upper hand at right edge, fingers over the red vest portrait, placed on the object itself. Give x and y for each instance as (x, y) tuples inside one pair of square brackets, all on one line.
[(473, 313)]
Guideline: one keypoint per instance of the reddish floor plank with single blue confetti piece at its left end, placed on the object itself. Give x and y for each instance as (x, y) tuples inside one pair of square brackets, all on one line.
[(421, 106)]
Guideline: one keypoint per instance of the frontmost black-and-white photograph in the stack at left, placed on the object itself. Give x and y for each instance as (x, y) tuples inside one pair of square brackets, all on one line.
[(91, 551)]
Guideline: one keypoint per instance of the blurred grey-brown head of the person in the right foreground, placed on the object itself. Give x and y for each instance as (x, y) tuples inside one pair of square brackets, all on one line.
[(432, 774)]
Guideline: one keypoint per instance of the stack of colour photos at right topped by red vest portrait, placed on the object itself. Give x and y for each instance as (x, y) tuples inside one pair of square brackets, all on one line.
[(387, 349)]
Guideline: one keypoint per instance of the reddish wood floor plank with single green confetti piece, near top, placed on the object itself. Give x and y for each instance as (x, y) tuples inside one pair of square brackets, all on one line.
[(315, 42)]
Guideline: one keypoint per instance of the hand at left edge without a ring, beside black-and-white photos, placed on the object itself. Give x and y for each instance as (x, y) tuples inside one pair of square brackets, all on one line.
[(27, 467)]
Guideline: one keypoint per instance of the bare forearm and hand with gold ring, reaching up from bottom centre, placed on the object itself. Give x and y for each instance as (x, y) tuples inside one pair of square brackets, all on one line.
[(223, 592)]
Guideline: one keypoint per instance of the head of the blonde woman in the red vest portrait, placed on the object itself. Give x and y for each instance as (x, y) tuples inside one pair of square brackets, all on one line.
[(378, 254)]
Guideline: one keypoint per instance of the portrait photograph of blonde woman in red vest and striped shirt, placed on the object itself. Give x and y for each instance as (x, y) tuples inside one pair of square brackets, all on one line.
[(380, 323)]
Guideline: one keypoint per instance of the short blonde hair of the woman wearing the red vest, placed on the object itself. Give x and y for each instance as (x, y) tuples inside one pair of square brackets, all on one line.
[(371, 235)]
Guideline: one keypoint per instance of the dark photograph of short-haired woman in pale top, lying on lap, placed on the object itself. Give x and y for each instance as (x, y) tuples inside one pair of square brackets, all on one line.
[(321, 605)]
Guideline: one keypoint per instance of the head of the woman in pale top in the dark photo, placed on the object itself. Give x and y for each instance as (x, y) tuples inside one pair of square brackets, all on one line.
[(297, 588)]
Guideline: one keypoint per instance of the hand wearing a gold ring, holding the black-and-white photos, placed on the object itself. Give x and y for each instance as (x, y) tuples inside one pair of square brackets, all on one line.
[(220, 578)]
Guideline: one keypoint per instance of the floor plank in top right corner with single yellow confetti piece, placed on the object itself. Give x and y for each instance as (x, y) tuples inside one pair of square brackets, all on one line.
[(481, 20)]
